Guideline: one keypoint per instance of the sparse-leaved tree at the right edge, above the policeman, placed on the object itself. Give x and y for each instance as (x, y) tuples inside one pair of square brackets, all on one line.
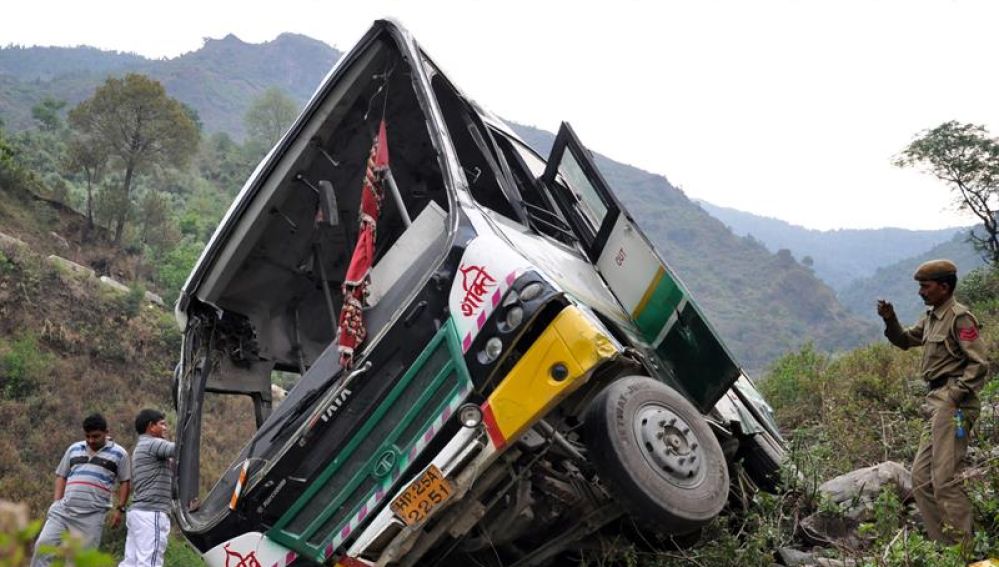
[(966, 158)]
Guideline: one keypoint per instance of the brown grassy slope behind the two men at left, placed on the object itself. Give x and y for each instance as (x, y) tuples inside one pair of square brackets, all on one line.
[(70, 346)]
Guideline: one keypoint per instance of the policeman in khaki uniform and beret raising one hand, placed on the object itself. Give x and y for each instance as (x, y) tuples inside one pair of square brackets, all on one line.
[(954, 367)]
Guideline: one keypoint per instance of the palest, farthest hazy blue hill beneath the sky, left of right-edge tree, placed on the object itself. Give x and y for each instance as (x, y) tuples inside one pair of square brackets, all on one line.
[(839, 256)]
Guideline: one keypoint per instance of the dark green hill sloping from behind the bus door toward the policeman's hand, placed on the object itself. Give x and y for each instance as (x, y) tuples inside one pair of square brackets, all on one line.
[(761, 303)]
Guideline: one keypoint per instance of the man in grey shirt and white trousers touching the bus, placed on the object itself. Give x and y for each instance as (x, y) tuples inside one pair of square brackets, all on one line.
[(148, 518)]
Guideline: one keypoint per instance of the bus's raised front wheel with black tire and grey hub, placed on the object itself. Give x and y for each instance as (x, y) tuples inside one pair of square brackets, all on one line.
[(656, 454)]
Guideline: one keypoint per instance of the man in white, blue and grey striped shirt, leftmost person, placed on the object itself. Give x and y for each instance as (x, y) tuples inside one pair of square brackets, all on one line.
[(84, 483)]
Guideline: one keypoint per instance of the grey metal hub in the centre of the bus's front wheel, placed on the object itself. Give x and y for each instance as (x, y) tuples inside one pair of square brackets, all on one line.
[(669, 445)]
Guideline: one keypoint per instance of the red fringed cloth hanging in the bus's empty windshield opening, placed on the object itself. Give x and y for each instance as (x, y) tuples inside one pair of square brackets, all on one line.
[(351, 332)]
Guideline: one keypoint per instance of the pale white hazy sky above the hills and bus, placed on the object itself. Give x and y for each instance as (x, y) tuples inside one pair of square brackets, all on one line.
[(791, 109)]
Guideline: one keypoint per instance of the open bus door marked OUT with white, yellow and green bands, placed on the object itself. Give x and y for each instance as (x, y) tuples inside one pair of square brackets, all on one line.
[(657, 300)]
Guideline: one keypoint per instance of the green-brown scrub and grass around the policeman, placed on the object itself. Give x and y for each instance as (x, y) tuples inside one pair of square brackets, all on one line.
[(839, 414)]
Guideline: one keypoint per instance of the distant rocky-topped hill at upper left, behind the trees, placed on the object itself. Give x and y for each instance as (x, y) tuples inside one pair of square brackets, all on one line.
[(219, 80)]
